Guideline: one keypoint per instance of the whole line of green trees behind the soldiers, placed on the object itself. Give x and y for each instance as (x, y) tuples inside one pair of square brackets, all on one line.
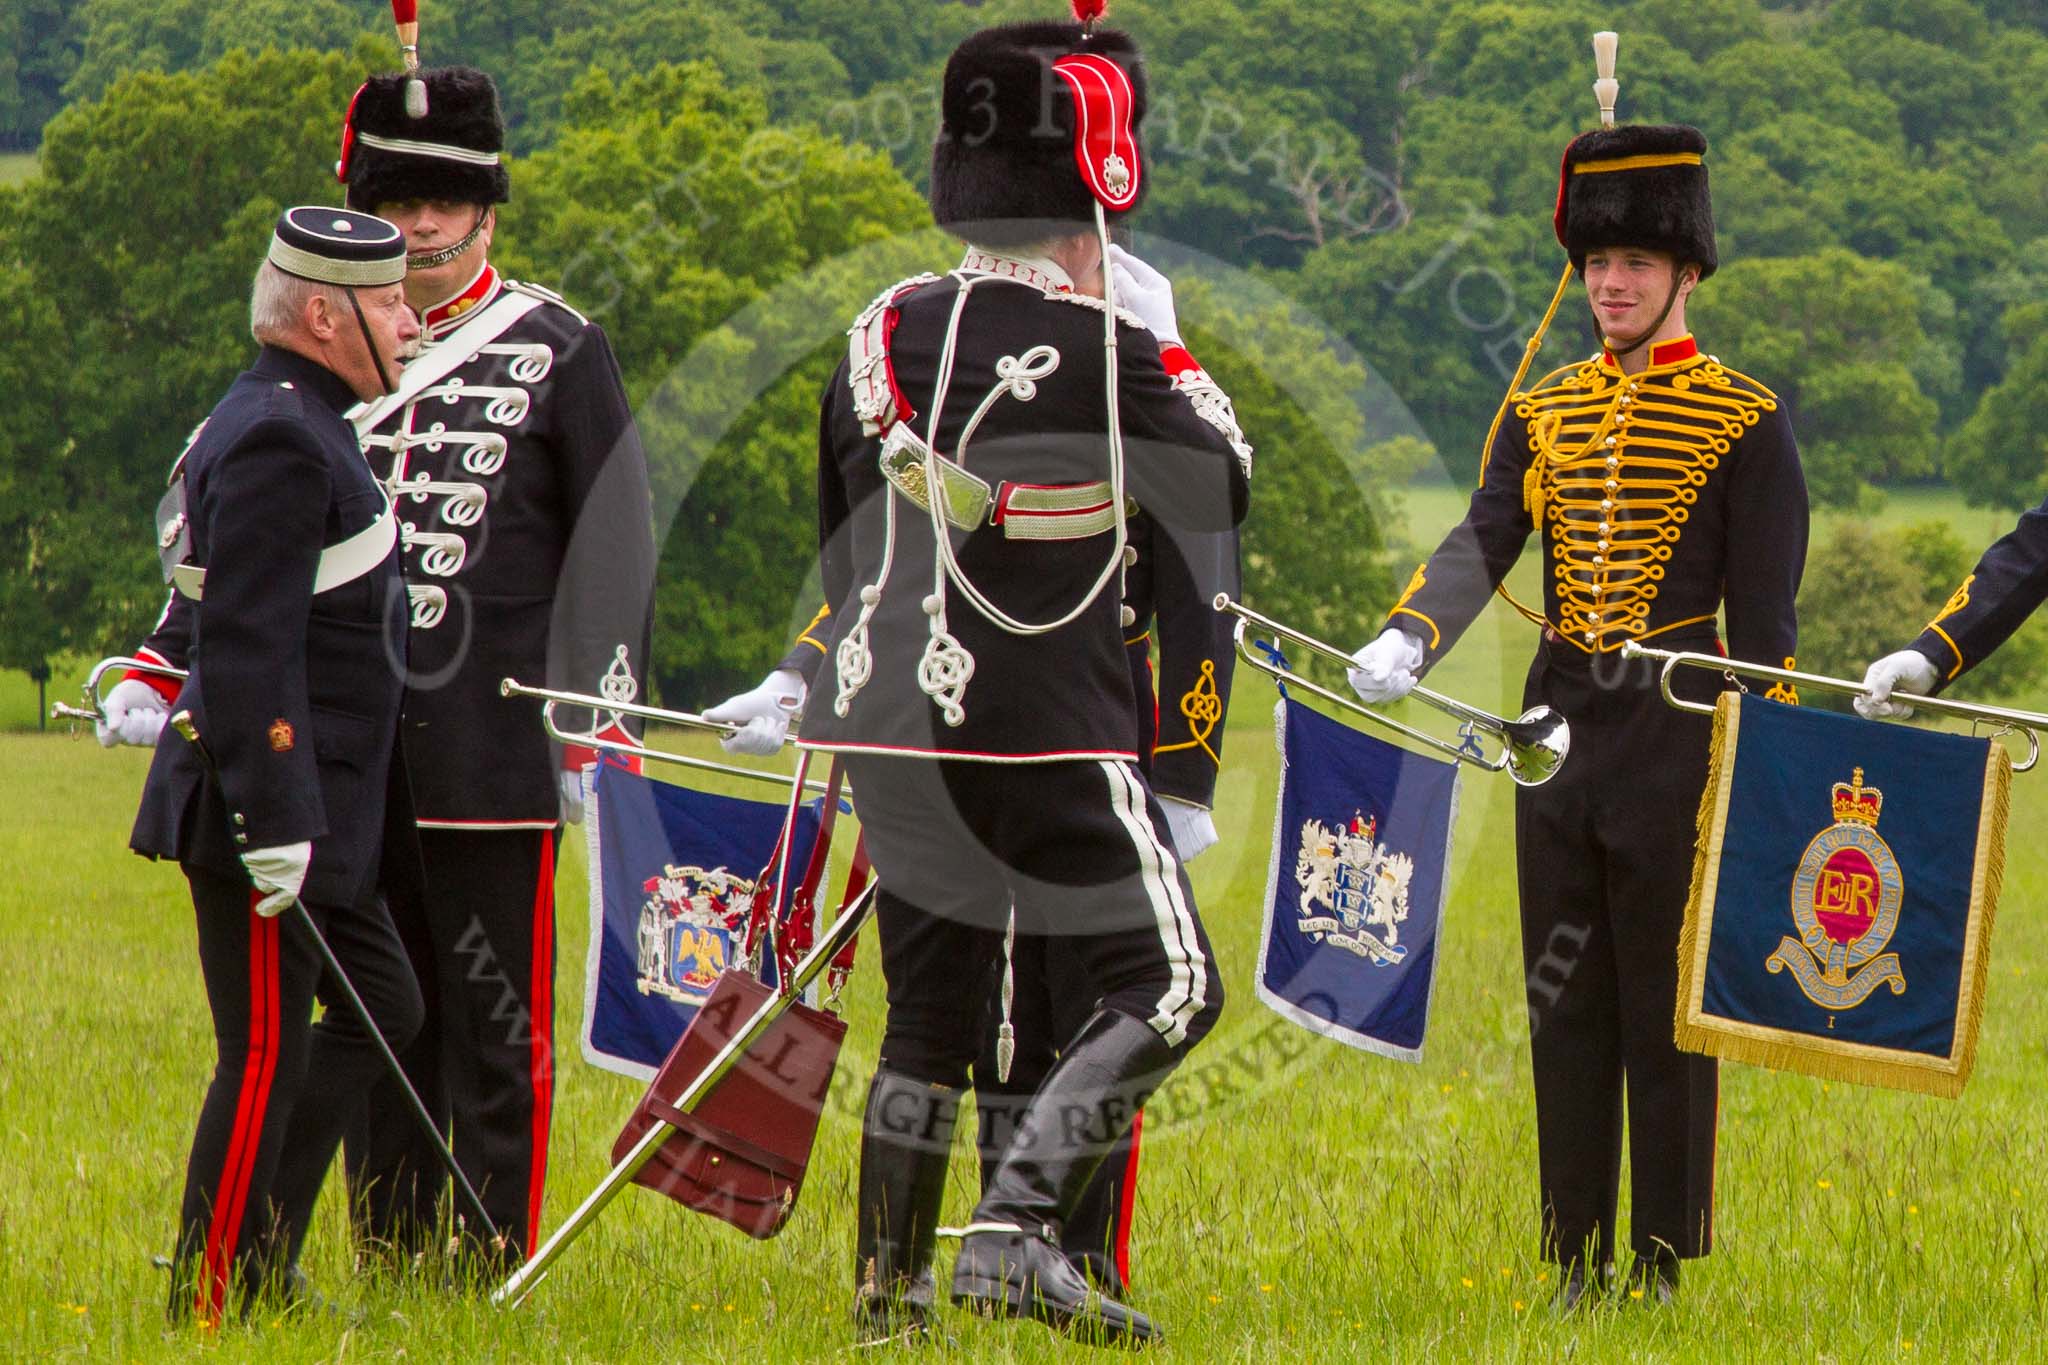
[(1357, 200)]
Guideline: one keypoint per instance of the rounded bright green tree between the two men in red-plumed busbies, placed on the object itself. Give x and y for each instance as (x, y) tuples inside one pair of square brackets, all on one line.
[(667, 210)]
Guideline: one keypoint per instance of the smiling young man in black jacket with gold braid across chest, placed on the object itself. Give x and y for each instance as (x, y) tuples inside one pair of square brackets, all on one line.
[(1666, 488)]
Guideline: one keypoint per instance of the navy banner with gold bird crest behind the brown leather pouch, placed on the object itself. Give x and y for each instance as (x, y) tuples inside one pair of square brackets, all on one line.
[(671, 887)]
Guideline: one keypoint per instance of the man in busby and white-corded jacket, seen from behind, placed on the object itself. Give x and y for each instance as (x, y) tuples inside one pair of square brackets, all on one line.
[(976, 459)]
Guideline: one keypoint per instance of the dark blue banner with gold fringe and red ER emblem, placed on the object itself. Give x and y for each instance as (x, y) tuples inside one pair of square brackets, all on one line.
[(1842, 897)]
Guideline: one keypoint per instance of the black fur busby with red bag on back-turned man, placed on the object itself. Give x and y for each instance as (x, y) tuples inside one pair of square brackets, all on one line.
[(1039, 124)]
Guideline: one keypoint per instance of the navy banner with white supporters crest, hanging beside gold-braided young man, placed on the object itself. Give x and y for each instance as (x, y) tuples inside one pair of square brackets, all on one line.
[(1355, 897)]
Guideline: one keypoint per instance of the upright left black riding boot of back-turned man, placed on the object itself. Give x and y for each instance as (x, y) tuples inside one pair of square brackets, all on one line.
[(904, 1143)]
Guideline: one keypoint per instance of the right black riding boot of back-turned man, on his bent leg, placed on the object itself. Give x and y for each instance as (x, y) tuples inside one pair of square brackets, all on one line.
[(1011, 1264)]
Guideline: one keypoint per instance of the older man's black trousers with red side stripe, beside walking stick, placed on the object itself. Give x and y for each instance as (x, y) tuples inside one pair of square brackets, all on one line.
[(284, 1088)]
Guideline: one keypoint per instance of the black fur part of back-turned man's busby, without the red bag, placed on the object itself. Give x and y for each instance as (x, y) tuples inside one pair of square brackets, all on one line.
[(1005, 163)]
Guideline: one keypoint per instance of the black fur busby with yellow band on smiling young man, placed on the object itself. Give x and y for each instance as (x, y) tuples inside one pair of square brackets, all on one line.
[(1637, 185)]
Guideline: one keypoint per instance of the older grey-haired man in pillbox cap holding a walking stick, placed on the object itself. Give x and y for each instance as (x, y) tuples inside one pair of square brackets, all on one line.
[(296, 682)]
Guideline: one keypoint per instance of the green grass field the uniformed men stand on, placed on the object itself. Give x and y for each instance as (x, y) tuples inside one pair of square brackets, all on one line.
[(1299, 1200)]
